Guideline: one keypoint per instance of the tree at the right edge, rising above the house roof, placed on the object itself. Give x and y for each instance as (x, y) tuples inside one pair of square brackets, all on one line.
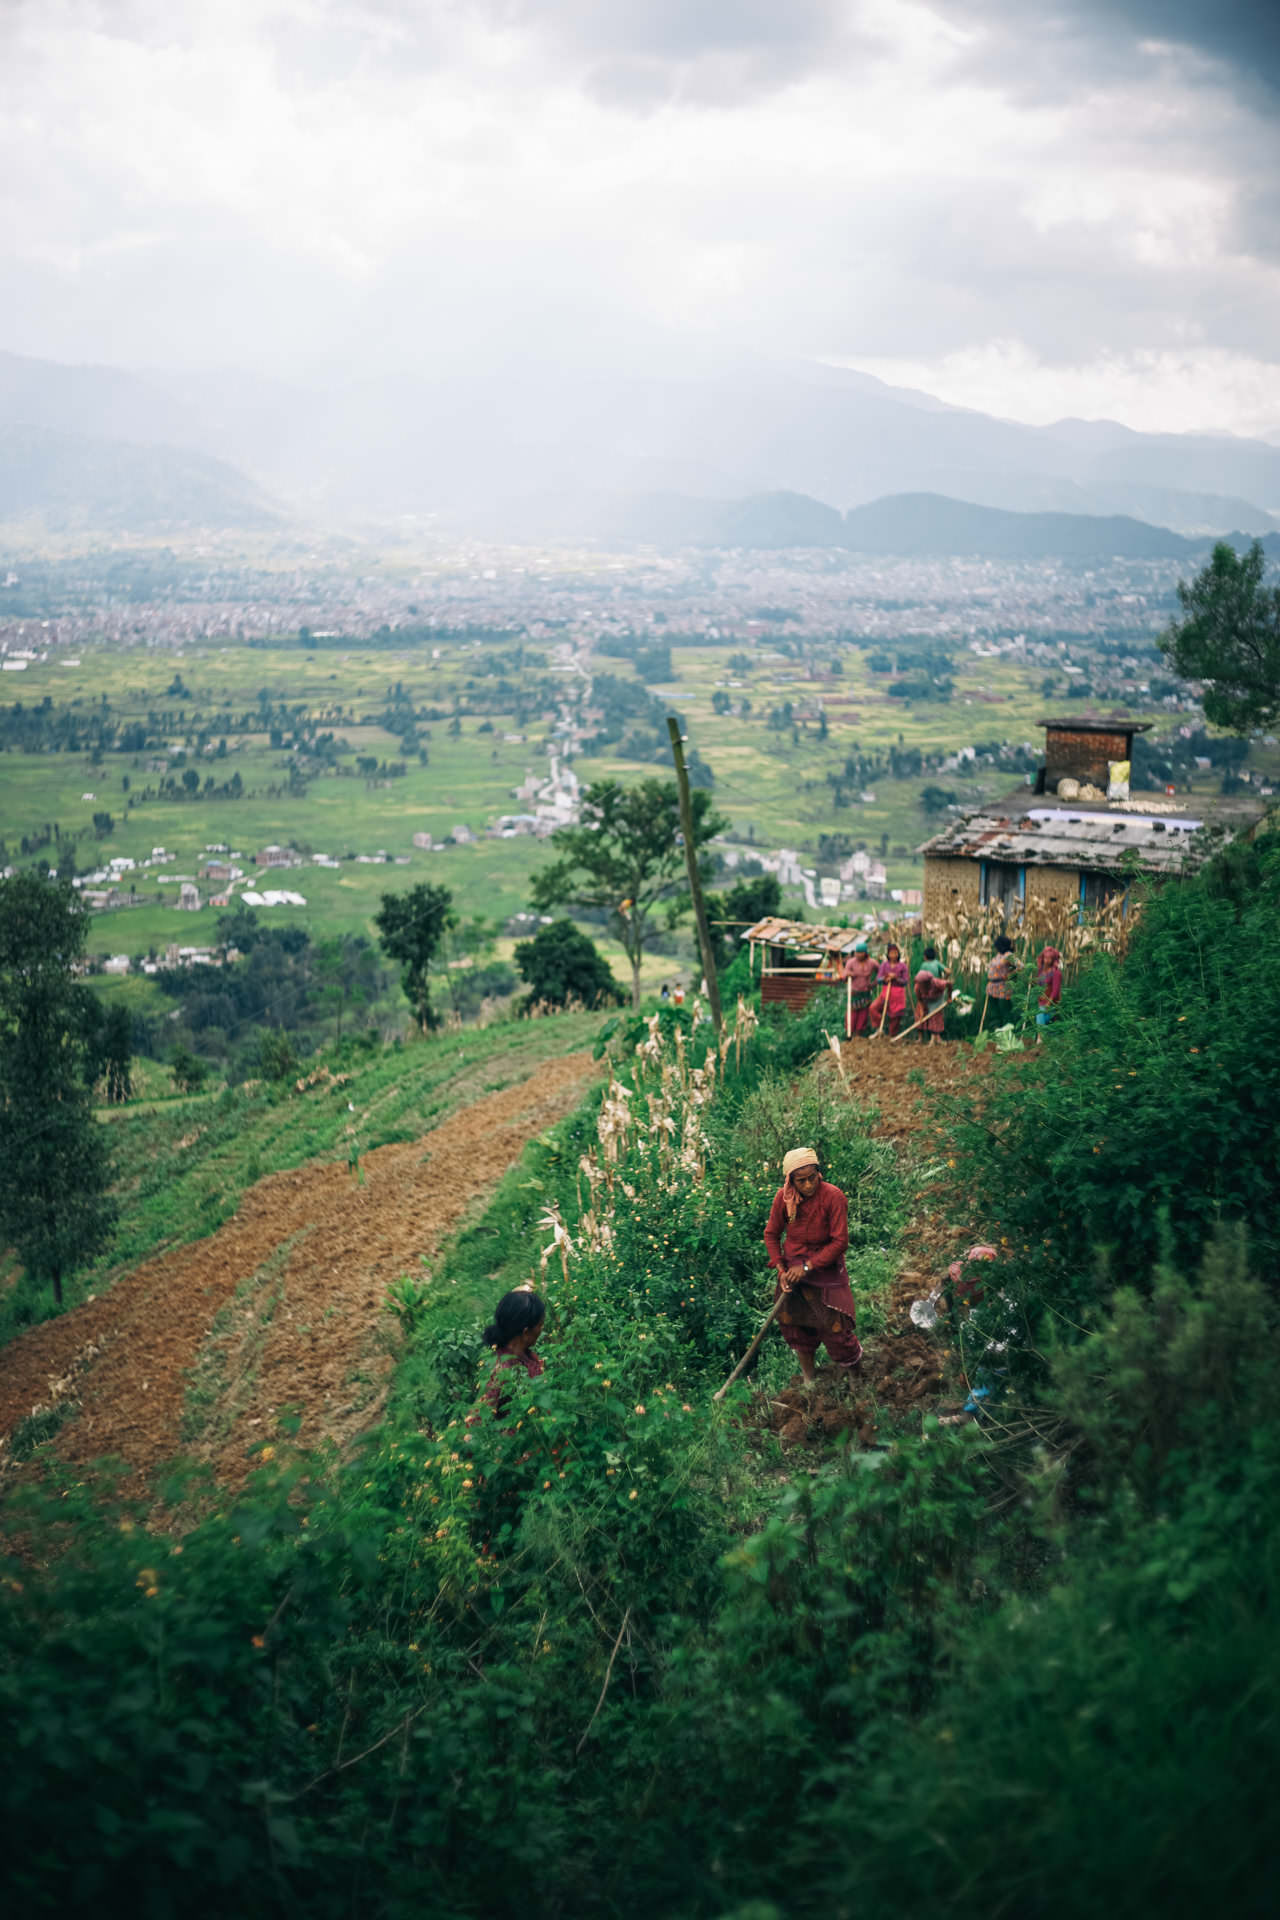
[(1229, 638)]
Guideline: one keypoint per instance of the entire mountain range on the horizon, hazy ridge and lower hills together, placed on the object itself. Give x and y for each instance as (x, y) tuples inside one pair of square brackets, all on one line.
[(571, 452)]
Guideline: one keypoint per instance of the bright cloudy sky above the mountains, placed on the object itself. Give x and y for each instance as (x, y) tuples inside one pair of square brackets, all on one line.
[(1070, 206)]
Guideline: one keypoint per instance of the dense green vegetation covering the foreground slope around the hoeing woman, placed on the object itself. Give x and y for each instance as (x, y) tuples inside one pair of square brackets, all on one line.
[(611, 1654)]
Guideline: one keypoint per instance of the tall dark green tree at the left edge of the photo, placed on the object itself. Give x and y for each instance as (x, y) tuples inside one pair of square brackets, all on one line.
[(55, 1166)]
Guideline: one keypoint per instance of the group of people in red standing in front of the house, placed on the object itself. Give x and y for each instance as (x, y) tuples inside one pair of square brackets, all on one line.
[(870, 1011)]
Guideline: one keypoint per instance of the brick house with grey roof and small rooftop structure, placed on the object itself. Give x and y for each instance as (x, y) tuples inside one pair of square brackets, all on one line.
[(1078, 836)]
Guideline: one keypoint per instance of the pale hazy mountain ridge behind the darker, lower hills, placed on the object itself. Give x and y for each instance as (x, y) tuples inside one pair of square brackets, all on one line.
[(577, 435)]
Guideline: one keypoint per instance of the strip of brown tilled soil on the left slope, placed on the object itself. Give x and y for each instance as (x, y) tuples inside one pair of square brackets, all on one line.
[(295, 1284)]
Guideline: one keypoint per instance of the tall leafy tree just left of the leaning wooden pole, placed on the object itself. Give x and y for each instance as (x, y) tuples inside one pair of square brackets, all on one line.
[(627, 859)]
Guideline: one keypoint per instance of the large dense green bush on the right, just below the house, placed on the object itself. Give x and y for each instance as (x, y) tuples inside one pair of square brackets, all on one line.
[(1152, 1113)]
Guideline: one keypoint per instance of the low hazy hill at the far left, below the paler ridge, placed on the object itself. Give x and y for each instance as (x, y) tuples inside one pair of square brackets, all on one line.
[(74, 481)]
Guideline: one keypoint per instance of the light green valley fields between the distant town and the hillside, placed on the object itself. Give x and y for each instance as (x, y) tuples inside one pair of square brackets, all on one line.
[(772, 786)]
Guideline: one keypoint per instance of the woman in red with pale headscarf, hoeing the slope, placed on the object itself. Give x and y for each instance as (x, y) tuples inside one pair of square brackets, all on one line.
[(807, 1237)]
